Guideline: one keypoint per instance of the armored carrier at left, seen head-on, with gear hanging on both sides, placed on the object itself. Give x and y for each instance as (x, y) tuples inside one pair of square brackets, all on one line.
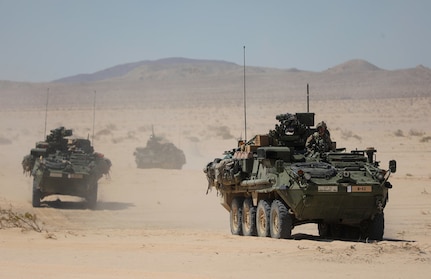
[(62, 165)]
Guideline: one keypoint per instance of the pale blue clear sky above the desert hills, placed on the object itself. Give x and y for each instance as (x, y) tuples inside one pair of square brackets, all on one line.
[(43, 40)]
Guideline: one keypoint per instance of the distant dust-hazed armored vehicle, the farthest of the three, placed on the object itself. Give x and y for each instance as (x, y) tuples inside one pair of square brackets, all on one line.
[(159, 154)]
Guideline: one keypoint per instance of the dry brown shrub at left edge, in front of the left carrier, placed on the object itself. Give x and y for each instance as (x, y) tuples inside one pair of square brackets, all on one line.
[(11, 219)]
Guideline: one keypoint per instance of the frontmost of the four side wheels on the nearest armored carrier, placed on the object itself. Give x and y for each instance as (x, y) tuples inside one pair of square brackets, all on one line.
[(280, 221)]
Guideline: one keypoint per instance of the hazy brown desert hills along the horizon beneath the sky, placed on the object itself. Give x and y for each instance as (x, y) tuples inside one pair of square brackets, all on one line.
[(184, 81)]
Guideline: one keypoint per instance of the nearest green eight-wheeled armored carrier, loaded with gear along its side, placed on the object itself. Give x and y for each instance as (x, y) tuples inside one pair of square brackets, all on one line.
[(272, 184)]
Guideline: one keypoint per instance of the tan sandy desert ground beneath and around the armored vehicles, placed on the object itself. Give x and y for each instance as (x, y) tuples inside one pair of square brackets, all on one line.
[(154, 223)]
